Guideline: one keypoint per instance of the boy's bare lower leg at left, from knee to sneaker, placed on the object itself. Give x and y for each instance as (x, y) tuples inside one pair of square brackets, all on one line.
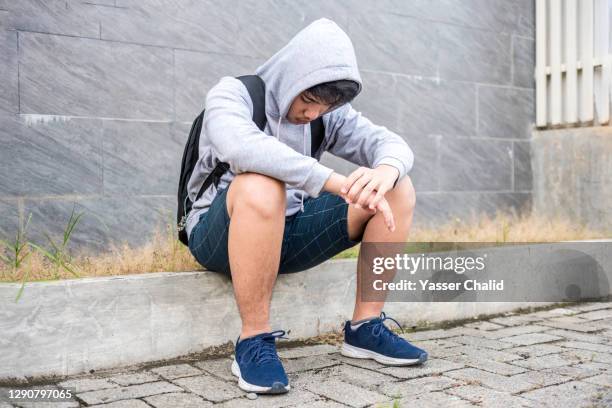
[(256, 205)]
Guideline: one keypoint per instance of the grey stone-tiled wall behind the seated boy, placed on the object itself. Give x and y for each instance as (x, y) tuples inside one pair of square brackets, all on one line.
[(97, 96)]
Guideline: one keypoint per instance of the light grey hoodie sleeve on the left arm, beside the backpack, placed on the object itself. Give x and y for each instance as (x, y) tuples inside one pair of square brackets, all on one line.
[(236, 140)]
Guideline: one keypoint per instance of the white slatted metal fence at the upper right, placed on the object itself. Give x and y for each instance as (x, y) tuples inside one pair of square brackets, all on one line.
[(573, 62)]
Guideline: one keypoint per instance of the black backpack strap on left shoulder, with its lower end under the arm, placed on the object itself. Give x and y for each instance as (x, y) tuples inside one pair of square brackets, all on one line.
[(257, 91)]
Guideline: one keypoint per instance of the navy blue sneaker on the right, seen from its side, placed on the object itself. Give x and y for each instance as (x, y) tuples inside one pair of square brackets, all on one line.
[(374, 340)]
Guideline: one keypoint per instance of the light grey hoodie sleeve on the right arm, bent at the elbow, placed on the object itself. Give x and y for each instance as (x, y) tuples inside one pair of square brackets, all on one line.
[(358, 140)]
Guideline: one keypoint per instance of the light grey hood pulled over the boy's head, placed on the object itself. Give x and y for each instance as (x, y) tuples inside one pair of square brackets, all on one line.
[(321, 52)]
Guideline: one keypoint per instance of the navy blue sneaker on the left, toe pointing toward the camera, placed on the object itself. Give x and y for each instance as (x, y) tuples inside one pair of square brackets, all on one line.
[(257, 365)]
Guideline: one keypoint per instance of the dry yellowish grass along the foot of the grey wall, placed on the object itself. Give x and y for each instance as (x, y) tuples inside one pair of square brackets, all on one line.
[(164, 253)]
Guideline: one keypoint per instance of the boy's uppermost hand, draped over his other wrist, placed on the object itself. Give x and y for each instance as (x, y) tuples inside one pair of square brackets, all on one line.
[(363, 182)]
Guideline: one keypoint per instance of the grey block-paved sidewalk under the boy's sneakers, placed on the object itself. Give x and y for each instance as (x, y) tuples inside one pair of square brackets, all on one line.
[(555, 358)]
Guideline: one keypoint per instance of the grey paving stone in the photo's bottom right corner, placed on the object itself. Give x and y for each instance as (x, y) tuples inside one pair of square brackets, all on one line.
[(571, 394)]
